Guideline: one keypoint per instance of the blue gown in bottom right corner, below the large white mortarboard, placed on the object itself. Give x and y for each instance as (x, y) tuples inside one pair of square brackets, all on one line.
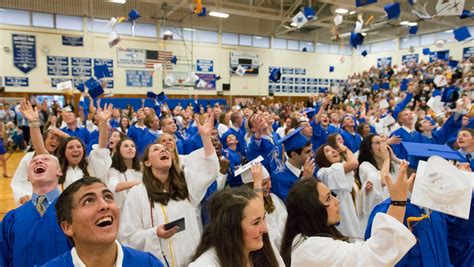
[(461, 239)]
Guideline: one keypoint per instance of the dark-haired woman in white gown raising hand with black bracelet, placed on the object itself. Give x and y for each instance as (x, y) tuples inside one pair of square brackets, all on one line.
[(311, 238)]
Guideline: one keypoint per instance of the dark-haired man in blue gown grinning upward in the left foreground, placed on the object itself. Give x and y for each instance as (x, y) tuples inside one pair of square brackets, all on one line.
[(88, 215)]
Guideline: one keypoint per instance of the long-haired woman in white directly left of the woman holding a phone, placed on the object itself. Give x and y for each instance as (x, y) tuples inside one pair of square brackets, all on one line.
[(125, 171)]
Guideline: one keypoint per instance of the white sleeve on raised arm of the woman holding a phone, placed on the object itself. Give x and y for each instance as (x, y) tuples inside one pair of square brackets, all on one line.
[(200, 172)]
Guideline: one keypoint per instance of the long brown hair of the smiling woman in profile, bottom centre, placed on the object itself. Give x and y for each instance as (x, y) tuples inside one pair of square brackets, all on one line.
[(224, 231)]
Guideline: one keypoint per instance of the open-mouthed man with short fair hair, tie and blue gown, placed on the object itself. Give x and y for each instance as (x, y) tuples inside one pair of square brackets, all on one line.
[(30, 235)]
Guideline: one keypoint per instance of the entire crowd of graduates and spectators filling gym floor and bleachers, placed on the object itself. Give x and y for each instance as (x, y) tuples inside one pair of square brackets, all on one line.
[(325, 181)]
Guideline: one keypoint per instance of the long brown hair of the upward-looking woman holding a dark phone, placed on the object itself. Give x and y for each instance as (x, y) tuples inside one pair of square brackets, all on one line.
[(178, 190)]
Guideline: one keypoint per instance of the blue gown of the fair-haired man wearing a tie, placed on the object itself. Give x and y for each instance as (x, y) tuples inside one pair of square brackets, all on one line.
[(29, 239)]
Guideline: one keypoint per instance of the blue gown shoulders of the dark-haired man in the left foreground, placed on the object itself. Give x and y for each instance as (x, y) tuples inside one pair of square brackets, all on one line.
[(131, 257)]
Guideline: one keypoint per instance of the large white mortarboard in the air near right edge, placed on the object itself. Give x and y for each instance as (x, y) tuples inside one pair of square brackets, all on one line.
[(441, 186)]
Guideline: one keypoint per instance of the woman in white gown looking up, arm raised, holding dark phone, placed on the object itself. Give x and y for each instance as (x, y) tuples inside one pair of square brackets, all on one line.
[(169, 193)]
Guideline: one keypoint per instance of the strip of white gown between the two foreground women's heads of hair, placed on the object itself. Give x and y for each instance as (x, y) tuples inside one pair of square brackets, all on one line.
[(276, 221)]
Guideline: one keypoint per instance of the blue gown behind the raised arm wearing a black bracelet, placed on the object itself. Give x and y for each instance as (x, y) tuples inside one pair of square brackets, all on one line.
[(431, 249)]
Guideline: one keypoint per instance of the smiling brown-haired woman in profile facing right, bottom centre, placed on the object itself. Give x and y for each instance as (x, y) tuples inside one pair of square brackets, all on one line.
[(237, 234)]
